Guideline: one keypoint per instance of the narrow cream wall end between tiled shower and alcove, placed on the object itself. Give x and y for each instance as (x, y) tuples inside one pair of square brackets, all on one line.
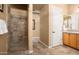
[(30, 31)]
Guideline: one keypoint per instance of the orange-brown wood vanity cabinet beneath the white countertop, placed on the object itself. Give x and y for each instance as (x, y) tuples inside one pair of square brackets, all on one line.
[(71, 39)]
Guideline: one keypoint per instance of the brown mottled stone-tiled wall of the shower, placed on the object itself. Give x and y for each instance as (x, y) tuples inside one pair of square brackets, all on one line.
[(18, 30)]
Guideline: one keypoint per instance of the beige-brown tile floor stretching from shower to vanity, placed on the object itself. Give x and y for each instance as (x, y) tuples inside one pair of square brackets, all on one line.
[(39, 49)]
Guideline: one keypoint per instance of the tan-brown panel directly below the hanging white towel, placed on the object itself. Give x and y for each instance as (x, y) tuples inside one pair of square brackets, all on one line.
[(3, 44)]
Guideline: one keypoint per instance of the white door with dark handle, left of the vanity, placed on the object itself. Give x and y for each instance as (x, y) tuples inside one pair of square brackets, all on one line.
[(57, 23)]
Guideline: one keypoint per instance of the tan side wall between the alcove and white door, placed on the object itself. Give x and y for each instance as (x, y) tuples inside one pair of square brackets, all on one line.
[(44, 25)]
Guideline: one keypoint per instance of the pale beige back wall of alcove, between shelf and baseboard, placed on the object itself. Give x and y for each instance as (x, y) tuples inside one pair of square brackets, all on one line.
[(36, 32)]
